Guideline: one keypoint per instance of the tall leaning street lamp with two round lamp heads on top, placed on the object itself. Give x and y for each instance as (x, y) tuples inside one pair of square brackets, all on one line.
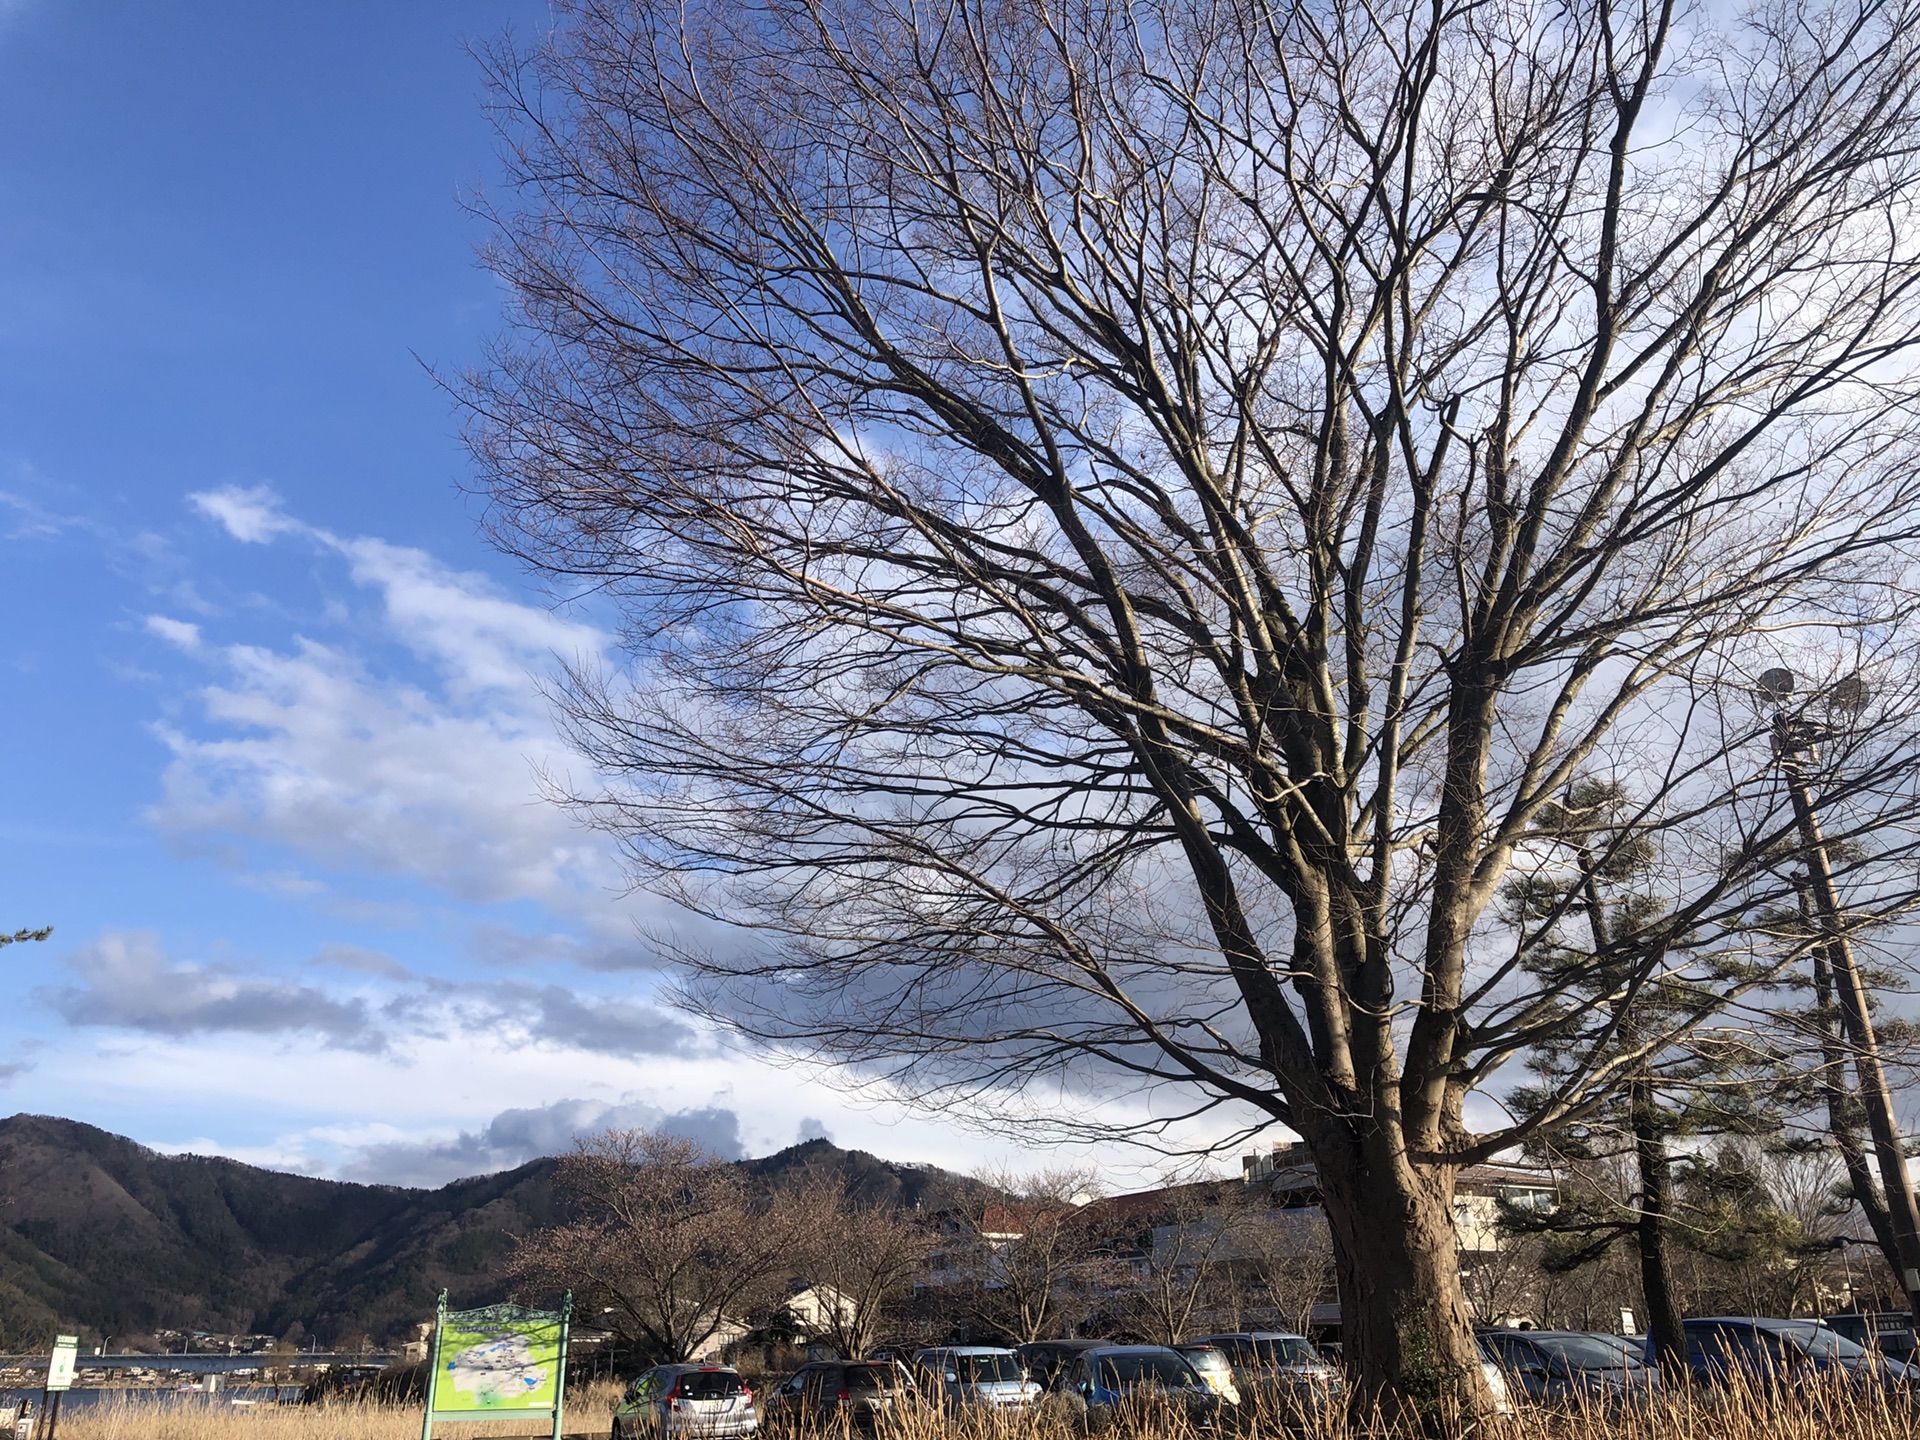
[(1794, 742)]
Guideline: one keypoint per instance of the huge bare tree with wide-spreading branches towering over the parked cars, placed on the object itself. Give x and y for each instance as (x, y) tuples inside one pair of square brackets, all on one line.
[(1128, 514)]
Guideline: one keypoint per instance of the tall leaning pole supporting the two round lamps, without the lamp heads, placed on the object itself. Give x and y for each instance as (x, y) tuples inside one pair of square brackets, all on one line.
[(1790, 744)]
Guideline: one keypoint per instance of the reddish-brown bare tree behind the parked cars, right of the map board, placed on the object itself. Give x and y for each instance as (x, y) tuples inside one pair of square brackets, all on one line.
[(667, 1245)]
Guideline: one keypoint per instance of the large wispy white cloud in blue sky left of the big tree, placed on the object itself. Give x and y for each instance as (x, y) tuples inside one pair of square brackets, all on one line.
[(431, 775)]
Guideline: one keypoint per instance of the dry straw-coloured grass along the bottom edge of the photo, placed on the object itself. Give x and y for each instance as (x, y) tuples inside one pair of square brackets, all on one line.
[(1813, 1416)]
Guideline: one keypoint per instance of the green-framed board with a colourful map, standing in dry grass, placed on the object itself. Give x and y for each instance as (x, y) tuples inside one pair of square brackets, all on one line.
[(498, 1362)]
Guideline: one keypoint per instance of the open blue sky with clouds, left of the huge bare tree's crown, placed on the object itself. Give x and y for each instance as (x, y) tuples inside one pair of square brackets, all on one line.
[(272, 732)]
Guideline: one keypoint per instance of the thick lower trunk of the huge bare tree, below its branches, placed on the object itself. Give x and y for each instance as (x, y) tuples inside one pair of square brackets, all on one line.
[(1404, 1322)]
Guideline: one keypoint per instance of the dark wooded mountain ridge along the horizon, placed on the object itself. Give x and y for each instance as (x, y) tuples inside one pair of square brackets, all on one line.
[(112, 1239)]
